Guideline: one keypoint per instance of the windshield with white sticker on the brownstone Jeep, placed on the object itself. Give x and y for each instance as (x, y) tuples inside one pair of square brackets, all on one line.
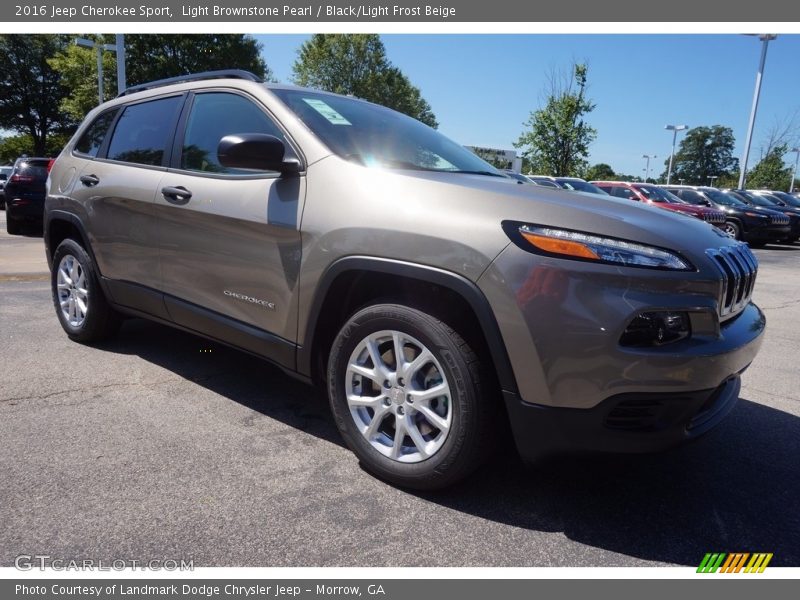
[(375, 136)]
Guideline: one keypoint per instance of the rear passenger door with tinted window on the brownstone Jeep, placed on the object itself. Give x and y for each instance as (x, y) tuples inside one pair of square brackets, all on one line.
[(117, 185)]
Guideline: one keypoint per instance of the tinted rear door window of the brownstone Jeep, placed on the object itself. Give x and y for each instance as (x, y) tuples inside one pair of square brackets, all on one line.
[(143, 131)]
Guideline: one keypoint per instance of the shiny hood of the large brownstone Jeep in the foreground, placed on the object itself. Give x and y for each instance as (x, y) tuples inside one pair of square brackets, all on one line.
[(471, 208)]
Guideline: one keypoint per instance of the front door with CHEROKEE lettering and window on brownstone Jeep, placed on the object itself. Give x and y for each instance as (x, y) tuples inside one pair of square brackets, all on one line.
[(230, 241)]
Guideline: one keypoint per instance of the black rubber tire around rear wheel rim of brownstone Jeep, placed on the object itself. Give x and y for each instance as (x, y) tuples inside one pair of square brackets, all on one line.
[(101, 320)]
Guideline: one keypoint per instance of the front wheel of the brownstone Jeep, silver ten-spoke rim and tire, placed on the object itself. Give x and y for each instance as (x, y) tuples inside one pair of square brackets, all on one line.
[(408, 397)]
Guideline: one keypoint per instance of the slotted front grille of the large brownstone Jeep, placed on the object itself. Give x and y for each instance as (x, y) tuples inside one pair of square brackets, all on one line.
[(739, 268)]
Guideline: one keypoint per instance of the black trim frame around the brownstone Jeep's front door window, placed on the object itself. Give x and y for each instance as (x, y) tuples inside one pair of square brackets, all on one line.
[(180, 134)]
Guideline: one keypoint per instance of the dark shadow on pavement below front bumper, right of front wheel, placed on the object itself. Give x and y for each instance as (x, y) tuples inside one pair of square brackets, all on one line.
[(734, 490)]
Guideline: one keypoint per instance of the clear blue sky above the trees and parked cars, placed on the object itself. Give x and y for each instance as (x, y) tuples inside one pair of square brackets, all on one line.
[(483, 87)]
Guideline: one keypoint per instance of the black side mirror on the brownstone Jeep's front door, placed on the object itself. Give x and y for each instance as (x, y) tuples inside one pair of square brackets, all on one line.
[(258, 151)]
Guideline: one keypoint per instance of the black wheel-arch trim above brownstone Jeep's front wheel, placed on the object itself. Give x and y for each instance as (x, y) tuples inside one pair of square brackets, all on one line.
[(447, 279)]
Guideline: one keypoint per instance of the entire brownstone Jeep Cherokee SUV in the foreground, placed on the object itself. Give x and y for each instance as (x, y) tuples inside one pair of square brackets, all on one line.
[(433, 296)]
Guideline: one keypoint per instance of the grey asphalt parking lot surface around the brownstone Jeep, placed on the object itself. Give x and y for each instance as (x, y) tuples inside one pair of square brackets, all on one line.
[(159, 444)]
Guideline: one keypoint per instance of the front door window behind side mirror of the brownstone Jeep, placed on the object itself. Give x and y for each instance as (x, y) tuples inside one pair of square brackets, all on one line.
[(213, 116)]
